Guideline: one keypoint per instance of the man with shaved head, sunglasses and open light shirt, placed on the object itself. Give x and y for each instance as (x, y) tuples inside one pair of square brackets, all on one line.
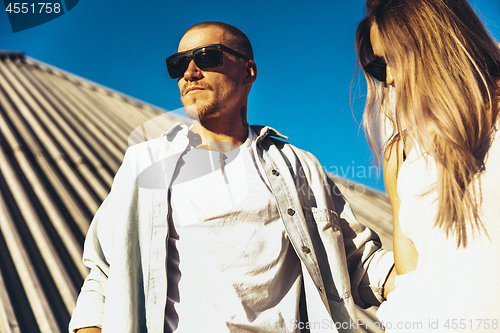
[(221, 227)]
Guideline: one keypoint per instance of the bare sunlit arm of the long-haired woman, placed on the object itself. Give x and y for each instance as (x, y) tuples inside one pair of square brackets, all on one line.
[(405, 253)]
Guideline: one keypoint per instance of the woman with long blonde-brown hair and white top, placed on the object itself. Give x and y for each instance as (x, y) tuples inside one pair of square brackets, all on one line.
[(433, 72)]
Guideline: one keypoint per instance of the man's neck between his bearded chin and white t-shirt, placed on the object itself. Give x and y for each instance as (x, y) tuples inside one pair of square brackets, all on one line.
[(218, 135)]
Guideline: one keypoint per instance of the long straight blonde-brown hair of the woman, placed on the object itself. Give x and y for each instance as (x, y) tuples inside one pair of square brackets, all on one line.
[(446, 70)]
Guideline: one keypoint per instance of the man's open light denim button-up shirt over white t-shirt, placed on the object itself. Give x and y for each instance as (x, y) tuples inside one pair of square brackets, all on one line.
[(125, 249)]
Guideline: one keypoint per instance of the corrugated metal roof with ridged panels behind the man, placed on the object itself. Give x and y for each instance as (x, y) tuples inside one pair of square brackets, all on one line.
[(62, 140)]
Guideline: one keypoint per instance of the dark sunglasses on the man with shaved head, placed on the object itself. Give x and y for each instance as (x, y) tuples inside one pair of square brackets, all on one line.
[(205, 57)]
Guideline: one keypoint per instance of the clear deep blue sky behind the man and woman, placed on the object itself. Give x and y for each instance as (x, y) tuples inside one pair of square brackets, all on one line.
[(305, 56)]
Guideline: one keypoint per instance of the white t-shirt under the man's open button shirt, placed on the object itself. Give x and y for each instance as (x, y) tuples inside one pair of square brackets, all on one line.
[(230, 266)]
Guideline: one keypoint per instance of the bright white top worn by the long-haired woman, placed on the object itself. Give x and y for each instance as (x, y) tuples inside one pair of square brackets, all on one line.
[(452, 288)]
